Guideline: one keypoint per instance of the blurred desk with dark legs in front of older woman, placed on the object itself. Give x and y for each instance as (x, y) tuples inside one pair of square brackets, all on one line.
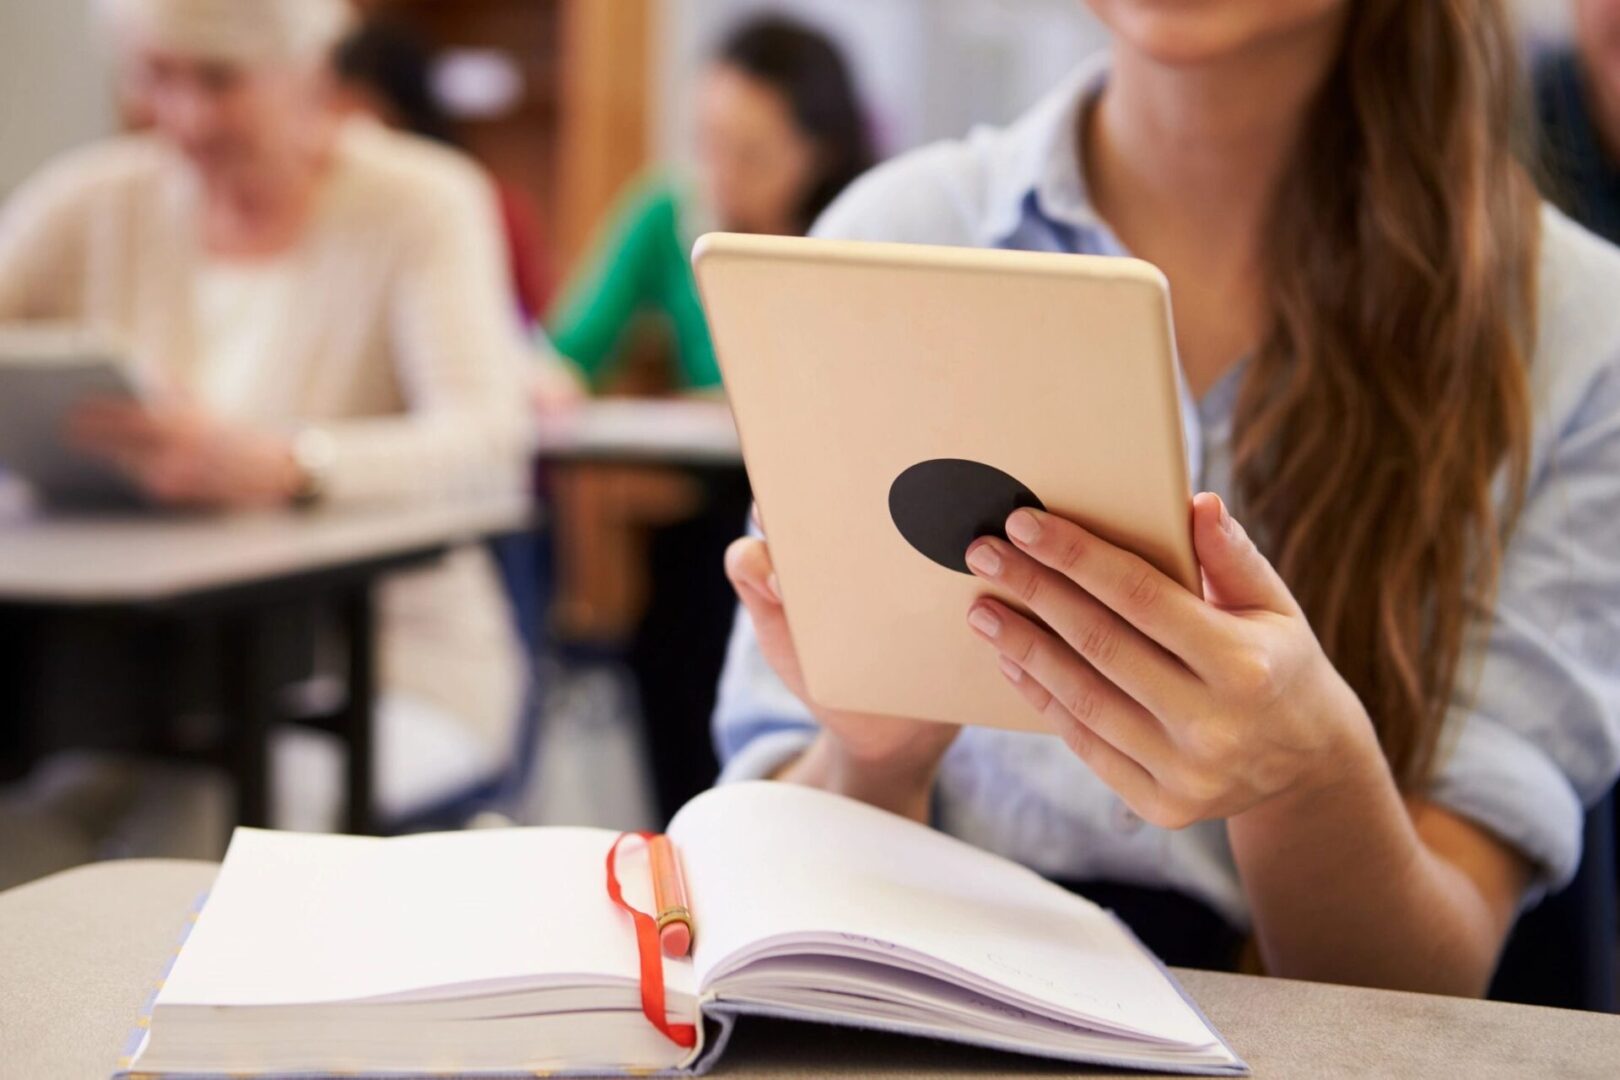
[(139, 572)]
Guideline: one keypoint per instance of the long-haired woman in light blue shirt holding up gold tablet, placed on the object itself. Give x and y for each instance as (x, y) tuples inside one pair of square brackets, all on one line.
[(1370, 744)]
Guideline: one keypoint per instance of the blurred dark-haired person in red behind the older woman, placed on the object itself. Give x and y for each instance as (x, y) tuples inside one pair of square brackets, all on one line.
[(386, 72)]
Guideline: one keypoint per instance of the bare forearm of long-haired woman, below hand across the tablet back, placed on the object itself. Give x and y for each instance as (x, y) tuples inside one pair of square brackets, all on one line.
[(1344, 888)]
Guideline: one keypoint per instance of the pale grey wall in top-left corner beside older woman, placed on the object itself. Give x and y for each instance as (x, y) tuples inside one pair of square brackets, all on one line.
[(54, 91)]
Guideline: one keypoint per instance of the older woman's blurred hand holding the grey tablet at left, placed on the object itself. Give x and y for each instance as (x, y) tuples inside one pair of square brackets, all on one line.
[(182, 456)]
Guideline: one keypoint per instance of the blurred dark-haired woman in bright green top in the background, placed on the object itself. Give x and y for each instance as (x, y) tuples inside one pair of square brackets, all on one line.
[(782, 134)]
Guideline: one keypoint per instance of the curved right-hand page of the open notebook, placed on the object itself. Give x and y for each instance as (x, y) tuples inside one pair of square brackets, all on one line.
[(778, 861)]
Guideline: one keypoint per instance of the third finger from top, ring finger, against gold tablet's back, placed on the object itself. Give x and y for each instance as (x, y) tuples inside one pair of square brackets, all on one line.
[(1073, 687)]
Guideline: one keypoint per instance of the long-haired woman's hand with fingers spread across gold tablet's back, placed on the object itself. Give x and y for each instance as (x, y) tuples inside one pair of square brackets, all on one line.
[(1188, 708)]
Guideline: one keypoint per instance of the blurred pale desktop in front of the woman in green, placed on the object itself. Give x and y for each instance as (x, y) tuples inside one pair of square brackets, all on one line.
[(644, 432)]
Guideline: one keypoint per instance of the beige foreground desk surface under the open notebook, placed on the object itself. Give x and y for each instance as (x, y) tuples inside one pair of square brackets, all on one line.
[(80, 953)]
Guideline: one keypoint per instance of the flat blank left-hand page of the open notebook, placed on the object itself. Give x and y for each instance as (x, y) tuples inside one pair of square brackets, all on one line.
[(320, 919)]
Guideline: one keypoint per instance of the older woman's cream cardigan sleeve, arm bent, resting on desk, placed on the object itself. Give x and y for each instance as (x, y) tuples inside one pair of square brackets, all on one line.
[(463, 360)]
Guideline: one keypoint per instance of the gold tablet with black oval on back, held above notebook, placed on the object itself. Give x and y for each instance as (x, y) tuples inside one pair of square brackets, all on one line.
[(897, 402)]
